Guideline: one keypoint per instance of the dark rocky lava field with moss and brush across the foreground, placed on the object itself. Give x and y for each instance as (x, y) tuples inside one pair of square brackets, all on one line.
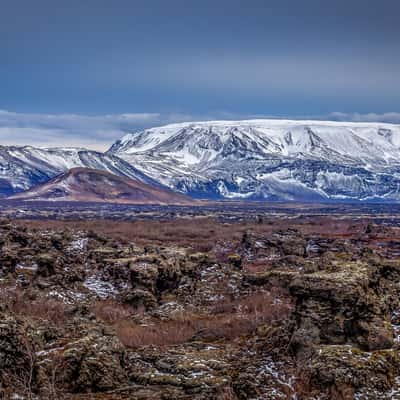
[(196, 308)]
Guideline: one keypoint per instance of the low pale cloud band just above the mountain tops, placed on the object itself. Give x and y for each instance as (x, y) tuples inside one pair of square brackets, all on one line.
[(98, 132)]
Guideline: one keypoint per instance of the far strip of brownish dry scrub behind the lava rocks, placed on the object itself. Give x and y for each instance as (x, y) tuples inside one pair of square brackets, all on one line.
[(199, 232)]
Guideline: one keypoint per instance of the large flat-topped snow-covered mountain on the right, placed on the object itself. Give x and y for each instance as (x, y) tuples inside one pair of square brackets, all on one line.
[(270, 159)]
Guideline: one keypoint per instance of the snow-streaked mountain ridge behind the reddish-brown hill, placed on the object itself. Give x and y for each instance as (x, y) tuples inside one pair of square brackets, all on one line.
[(24, 167)]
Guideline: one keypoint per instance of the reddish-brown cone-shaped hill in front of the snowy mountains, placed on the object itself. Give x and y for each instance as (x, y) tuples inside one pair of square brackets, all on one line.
[(91, 185)]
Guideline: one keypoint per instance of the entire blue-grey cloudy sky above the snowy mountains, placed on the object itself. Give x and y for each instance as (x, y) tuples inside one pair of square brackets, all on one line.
[(84, 72)]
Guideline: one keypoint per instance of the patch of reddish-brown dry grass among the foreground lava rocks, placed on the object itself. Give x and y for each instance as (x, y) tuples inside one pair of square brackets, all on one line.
[(226, 321)]
